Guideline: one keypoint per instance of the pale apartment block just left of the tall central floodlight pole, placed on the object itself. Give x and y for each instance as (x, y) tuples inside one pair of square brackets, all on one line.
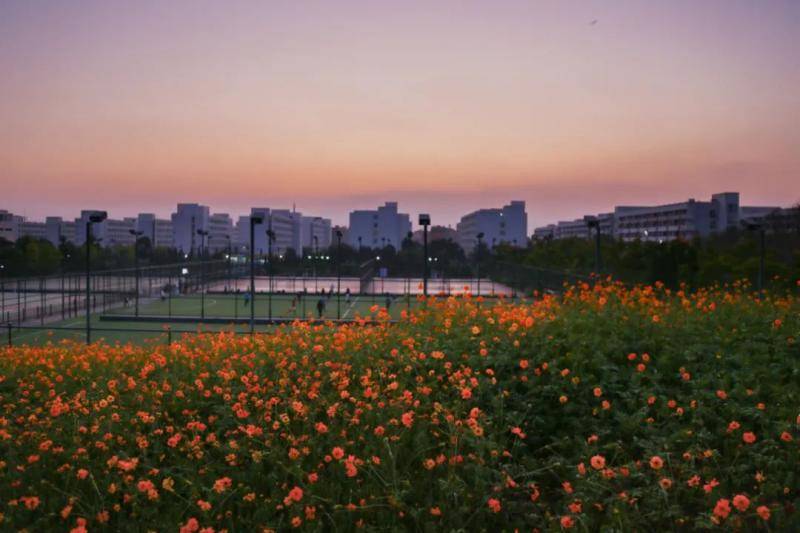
[(379, 228)]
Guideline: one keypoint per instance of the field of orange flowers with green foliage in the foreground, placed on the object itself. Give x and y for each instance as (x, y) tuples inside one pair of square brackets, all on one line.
[(604, 408)]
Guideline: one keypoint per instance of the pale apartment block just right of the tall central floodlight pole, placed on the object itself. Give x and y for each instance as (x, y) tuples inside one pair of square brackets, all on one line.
[(508, 224)]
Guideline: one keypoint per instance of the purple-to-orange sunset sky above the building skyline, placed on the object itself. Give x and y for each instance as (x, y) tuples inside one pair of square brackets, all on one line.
[(443, 106)]
